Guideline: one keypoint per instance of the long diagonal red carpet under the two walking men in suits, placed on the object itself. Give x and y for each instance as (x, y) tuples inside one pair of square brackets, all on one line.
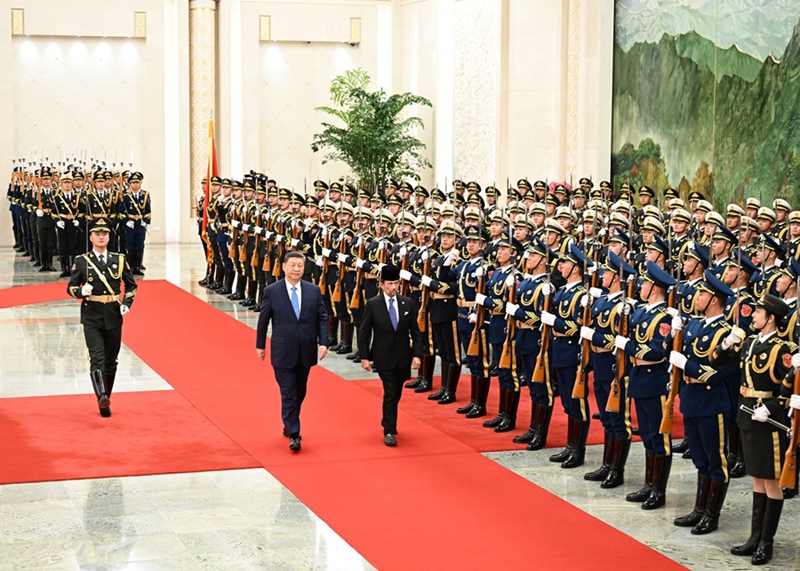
[(430, 503)]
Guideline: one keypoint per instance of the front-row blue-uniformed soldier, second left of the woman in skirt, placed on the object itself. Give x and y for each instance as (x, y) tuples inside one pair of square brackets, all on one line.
[(649, 376)]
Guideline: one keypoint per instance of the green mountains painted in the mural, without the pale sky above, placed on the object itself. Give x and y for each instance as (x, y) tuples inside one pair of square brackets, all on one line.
[(745, 125)]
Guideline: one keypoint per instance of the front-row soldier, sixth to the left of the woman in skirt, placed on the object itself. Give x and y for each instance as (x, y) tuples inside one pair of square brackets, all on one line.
[(502, 279)]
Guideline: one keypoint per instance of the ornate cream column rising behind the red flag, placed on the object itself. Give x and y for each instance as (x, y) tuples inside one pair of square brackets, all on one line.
[(202, 85)]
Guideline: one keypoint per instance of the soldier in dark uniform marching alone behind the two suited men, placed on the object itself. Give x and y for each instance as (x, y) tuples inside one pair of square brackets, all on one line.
[(104, 283)]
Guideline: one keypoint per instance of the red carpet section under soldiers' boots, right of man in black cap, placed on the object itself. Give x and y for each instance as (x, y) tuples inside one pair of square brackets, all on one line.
[(470, 431)]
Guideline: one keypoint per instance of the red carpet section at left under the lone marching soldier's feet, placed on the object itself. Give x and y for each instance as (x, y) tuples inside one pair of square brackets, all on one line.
[(155, 432)]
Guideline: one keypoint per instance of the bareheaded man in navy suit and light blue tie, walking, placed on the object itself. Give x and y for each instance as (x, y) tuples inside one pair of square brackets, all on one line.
[(299, 338)]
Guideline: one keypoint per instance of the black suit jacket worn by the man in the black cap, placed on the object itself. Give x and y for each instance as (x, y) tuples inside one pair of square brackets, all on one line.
[(388, 348)]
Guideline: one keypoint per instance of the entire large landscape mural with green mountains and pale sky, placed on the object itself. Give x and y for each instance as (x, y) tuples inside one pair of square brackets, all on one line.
[(707, 97)]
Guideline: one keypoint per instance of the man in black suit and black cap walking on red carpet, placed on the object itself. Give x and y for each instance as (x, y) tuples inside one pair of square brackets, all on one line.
[(390, 336)]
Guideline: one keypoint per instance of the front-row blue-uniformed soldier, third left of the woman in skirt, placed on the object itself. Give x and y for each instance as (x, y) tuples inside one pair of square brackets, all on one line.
[(607, 311)]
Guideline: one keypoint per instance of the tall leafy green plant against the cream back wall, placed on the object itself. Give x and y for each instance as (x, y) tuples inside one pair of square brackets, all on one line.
[(373, 136)]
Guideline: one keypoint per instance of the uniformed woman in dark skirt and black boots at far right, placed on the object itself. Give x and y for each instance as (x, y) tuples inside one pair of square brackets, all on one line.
[(766, 363)]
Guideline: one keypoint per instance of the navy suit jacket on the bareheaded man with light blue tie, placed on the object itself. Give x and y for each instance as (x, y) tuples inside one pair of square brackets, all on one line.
[(293, 340)]
